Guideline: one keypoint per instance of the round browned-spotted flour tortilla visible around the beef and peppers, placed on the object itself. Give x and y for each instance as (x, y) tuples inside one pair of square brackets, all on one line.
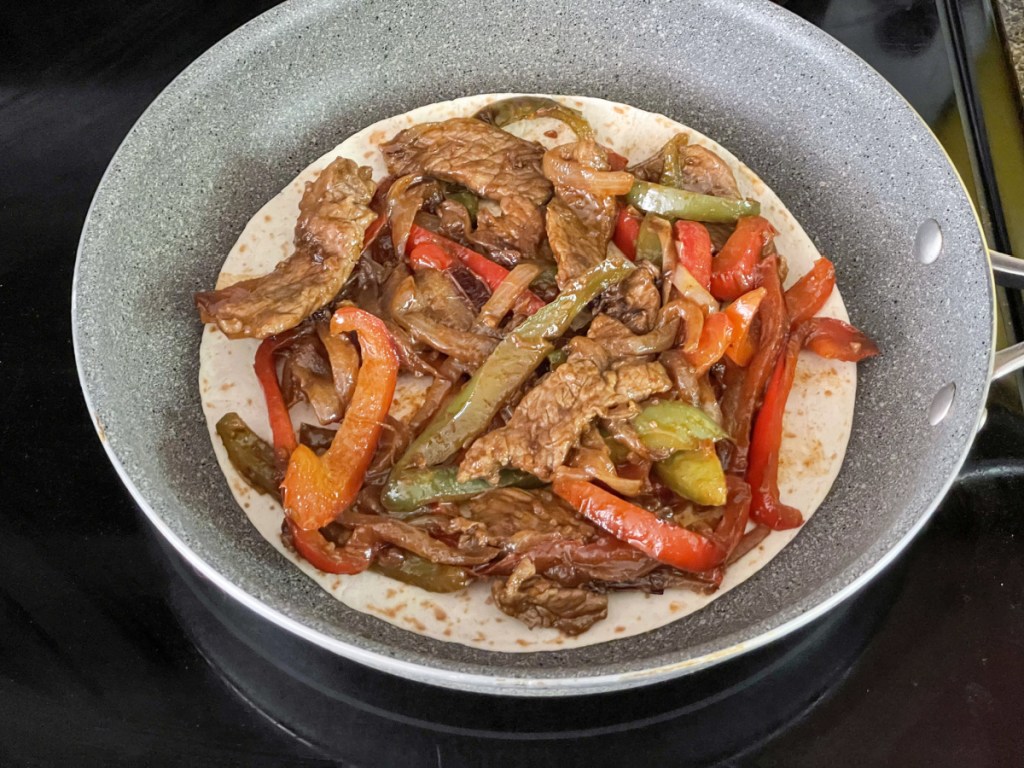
[(817, 429)]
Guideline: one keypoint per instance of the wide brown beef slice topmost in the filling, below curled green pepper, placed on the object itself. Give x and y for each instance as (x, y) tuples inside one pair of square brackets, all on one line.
[(487, 160)]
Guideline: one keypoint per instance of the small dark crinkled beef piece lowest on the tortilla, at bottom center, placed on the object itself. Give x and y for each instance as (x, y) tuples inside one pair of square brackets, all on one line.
[(539, 603)]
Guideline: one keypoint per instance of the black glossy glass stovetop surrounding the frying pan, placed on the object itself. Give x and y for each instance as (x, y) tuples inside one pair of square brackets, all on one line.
[(113, 652)]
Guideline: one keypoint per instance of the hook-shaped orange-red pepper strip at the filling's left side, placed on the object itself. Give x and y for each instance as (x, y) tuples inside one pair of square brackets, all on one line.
[(316, 489)]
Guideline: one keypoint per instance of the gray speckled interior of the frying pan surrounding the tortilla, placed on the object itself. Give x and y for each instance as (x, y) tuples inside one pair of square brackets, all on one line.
[(840, 147)]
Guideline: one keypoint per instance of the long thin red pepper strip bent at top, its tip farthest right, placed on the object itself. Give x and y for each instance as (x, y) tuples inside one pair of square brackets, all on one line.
[(835, 339)]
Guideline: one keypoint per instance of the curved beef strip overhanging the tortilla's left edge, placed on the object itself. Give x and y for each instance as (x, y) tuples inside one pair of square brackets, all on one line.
[(333, 218)]
